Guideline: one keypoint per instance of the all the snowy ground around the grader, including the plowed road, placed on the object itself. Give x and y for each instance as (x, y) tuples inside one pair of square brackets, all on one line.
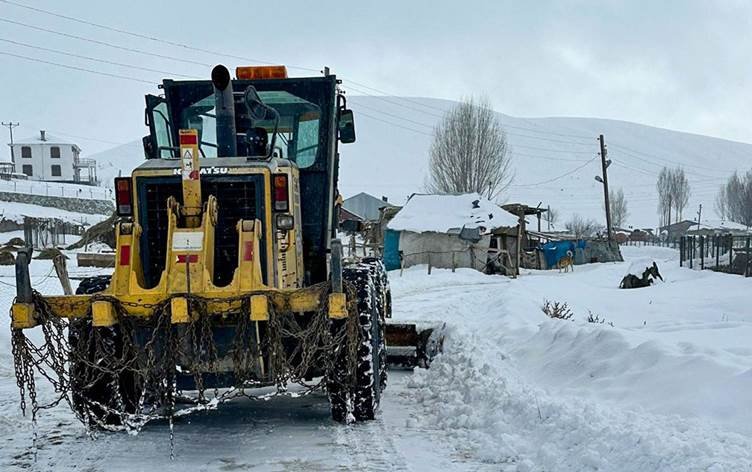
[(667, 387)]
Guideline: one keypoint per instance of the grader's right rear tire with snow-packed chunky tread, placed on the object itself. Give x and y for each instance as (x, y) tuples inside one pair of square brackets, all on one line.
[(361, 394)]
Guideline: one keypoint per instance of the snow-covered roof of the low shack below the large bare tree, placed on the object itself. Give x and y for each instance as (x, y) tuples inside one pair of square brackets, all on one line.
[(440, 213)]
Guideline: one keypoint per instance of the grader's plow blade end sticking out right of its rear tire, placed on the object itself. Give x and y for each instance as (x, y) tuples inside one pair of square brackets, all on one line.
[(409, 346)]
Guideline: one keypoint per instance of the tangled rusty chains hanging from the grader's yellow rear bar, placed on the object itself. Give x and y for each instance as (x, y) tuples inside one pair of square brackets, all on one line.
[(151, 362)]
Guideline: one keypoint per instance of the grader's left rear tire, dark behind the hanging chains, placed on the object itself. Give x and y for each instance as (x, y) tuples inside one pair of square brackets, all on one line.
[(98, 397)]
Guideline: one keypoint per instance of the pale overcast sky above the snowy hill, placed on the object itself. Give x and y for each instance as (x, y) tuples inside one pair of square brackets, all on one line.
[(682, 65)]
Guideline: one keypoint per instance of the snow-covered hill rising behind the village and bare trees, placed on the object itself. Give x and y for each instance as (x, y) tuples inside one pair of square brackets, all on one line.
[(555, 159)]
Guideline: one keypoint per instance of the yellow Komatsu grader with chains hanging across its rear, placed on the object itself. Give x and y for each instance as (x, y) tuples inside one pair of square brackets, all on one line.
[(228, 275)]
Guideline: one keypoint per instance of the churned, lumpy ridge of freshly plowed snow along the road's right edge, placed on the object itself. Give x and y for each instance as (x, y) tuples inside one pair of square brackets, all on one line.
[(493, 416)]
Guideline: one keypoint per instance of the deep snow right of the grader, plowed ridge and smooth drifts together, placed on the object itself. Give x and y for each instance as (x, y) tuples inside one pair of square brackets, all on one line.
[(666, 388)]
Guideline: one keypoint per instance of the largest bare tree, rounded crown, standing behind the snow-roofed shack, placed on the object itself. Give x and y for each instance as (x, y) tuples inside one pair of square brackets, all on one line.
[(469, 152)]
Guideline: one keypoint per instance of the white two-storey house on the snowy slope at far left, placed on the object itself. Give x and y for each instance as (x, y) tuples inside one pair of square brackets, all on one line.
[(49, 158)]
